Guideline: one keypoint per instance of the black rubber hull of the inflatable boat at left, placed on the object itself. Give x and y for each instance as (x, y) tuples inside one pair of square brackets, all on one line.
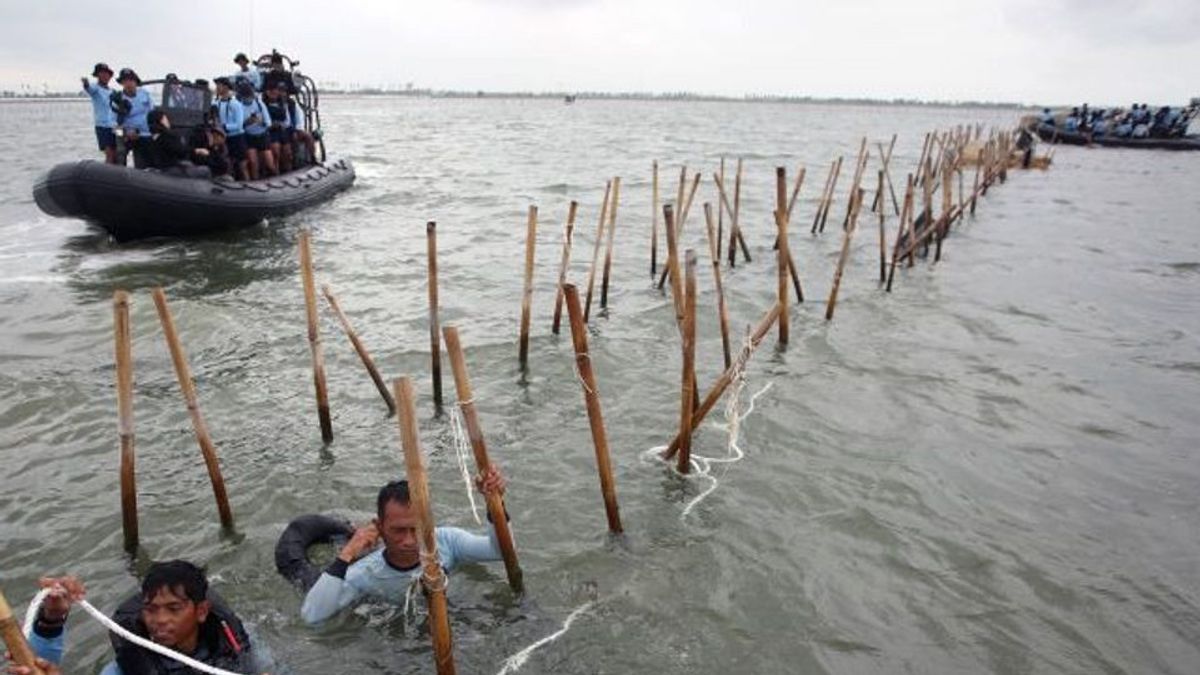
[(139, 204)]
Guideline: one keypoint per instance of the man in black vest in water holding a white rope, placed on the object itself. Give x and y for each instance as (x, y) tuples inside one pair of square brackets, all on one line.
[(175, 610)]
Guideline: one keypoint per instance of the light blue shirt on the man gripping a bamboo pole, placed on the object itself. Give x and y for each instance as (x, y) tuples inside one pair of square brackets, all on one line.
[(374, 577)]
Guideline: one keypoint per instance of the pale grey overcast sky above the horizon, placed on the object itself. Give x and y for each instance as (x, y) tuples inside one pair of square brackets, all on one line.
[(1027, 51)]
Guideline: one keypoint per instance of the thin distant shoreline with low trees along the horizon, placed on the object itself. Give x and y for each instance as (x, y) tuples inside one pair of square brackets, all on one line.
[(598, 97)]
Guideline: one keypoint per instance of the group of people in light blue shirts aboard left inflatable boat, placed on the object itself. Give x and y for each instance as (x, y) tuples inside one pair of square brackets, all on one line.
[(254, 129)]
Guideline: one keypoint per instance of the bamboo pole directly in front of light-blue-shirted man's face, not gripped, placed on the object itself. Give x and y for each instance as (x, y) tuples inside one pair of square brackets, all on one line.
[(433, 576)]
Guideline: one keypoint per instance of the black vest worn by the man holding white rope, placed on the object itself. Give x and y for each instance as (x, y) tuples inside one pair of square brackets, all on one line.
[(214, 647)]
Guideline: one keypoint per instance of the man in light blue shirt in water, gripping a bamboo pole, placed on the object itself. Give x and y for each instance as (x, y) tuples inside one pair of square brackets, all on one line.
[(387, 574)]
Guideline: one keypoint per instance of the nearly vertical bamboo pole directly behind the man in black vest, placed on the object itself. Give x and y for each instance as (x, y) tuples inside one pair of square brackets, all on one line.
[(125, 419)]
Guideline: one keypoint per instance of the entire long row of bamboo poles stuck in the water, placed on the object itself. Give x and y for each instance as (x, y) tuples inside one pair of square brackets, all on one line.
[(945, 158)]
